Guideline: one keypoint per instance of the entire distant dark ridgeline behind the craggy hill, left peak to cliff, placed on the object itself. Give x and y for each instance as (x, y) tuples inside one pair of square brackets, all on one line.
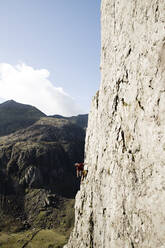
[(14, 116)]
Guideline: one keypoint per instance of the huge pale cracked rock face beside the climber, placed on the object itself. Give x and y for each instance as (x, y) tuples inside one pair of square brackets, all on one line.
[(121, 201)]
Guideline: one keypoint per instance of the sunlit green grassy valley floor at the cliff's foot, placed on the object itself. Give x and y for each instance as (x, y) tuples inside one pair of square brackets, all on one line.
[(38, 237)]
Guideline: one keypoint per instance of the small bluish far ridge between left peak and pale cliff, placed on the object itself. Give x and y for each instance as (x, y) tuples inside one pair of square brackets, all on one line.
[(80, 120)]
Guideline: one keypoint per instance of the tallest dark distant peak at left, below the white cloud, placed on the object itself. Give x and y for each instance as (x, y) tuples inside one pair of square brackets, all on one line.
[(14, 116)]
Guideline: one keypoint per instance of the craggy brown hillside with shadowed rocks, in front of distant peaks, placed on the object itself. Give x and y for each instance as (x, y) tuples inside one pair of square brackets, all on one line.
[(37, 178)]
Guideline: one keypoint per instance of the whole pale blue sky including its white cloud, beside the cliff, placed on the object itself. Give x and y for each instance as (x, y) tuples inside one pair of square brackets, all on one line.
[(58, 41)]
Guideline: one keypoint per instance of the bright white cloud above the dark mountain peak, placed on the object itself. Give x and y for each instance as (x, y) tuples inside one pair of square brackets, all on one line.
[(27, 85)]
